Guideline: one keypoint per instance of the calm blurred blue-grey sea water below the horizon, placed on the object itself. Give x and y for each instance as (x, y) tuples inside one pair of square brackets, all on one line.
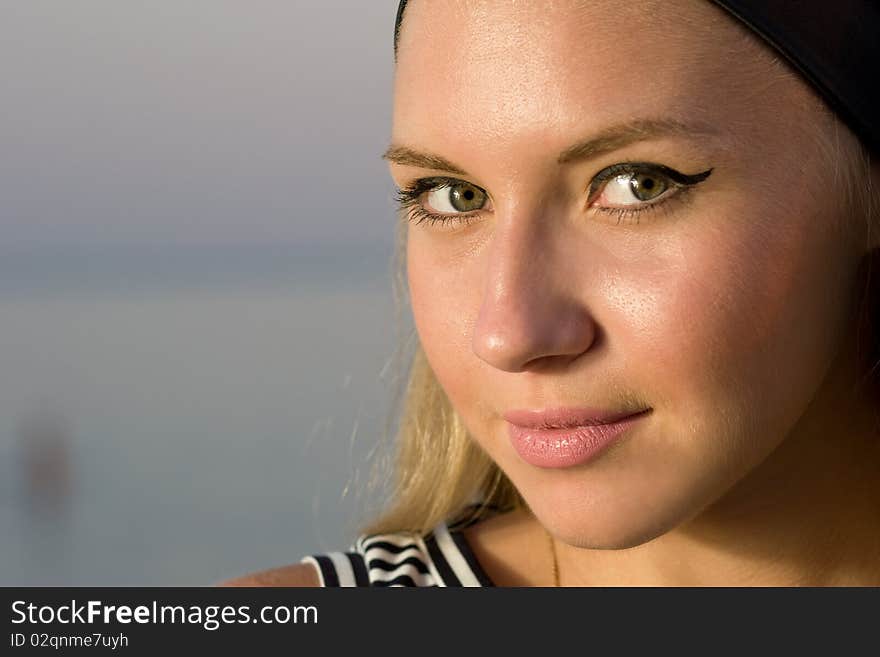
[(177, 417)]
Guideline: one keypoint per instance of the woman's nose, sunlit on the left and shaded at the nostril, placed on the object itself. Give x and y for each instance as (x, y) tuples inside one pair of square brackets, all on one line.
[(530, 312)]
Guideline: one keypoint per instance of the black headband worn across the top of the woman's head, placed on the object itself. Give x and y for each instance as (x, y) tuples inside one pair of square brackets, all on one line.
[(835, 46)]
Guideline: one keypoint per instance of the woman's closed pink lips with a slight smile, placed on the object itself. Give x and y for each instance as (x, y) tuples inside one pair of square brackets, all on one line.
[(563, 438)]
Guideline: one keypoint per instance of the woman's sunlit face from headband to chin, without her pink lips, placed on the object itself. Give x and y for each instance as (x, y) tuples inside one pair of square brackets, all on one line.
[(708, 277)]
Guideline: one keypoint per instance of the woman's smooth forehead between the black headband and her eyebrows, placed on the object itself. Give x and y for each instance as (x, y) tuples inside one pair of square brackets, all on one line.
[(542, 70)]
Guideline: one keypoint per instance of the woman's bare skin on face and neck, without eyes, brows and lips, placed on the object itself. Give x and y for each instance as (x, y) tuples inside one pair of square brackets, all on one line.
[(728, 311)]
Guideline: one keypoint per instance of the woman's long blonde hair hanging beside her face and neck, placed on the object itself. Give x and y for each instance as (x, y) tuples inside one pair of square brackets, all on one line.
[(439, 473)]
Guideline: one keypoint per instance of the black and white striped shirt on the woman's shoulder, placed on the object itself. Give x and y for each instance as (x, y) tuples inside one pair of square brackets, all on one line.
[(440, 558)]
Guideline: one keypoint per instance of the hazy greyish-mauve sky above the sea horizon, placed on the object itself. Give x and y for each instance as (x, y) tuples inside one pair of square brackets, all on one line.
[(194, 122)]
